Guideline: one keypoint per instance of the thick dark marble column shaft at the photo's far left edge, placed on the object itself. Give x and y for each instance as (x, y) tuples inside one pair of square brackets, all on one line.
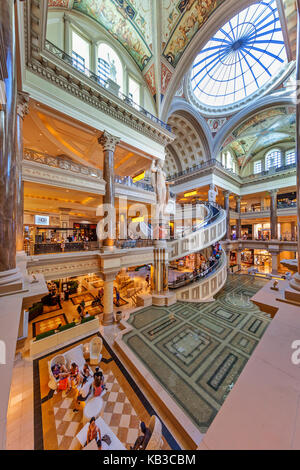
[(7, 141)]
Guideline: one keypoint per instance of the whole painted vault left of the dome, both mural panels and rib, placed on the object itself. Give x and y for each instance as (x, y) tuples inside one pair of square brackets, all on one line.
[(133, 22)]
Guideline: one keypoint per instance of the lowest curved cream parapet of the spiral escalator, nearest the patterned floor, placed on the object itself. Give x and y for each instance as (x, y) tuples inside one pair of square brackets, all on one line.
[(205, 289)]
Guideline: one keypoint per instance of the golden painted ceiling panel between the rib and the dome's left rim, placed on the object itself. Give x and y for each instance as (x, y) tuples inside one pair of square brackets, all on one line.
[(181, 21)]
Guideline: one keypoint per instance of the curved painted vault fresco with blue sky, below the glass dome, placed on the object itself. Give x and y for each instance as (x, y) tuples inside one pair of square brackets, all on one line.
[(265, 129)]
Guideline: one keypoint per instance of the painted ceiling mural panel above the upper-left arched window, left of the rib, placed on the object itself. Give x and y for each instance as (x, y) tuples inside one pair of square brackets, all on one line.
[(129, 25)]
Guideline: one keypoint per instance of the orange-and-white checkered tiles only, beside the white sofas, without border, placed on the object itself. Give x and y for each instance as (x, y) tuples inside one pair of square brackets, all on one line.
[(118, 413)]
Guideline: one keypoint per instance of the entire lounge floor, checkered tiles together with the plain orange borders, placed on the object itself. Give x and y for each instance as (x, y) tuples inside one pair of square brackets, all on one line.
[(56, 425)]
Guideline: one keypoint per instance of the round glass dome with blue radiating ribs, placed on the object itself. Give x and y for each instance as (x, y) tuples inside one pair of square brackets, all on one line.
[(241, 58)]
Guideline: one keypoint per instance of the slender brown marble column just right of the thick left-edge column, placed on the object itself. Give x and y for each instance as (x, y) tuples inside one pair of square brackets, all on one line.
[(22, 110)]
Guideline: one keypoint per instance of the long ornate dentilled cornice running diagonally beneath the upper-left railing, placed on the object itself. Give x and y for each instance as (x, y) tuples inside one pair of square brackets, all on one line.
[(54, 70)]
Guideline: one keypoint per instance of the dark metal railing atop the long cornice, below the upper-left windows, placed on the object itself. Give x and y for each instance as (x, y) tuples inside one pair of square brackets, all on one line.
[(93, 76)]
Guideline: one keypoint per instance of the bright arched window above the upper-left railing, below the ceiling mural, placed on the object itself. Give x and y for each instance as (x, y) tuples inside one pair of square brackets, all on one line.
[(109, 65)]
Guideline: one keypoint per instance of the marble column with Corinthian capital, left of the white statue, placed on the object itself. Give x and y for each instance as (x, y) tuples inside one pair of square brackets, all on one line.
[(108, 143)]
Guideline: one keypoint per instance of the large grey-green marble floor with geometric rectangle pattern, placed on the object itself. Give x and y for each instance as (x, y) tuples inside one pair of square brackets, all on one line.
[(197, 351)]
